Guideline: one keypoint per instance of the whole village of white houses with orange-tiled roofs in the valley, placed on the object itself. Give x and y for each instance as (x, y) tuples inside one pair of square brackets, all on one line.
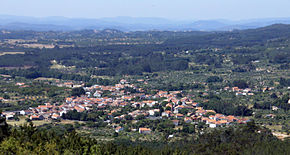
[(176, 109)]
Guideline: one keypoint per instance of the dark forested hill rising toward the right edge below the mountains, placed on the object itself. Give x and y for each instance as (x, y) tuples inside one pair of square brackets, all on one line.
[(251, 37)]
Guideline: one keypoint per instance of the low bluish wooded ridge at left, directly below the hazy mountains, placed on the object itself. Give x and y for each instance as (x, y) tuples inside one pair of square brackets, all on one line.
[(96, 34)]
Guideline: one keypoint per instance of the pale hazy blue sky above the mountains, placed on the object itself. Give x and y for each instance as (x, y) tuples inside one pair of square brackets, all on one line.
[(172, 9)]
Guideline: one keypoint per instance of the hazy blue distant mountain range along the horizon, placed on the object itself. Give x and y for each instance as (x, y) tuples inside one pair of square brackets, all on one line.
[(8, 22)]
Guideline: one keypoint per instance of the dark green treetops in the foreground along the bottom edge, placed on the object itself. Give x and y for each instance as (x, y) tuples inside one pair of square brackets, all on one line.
[(245, 139)]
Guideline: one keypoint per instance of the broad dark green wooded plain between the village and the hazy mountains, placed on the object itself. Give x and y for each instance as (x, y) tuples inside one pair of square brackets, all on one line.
[(114, 52)]
